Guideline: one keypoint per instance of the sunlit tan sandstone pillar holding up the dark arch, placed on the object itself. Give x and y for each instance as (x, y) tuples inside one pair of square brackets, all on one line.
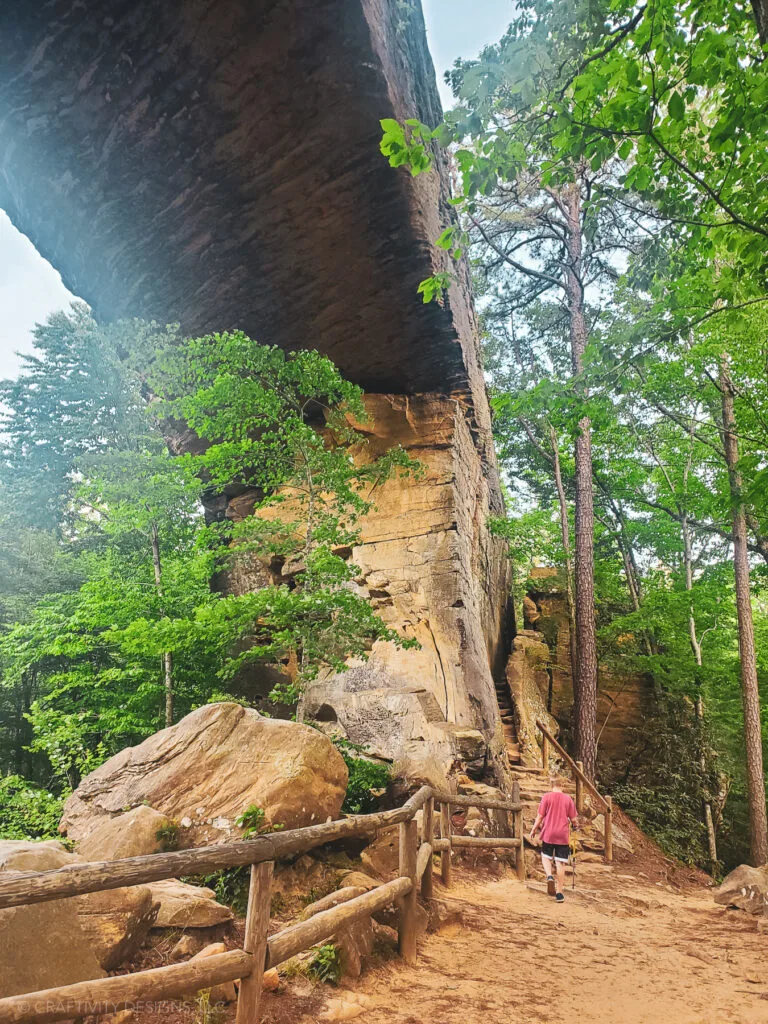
[(432, 570)]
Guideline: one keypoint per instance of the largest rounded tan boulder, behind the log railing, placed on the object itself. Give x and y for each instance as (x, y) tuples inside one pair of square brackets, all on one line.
[(211, 766)]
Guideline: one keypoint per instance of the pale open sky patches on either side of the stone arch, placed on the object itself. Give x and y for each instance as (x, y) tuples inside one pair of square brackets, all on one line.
[(31, 289)]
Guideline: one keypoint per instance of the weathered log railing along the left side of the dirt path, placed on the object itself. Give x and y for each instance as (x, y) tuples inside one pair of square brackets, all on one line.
[(261, 951)]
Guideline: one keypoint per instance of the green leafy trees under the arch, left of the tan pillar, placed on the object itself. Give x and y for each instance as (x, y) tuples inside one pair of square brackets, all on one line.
[(110, 614)]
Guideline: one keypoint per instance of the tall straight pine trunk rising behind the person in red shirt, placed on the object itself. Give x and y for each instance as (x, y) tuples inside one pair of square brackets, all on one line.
[(585, 694)]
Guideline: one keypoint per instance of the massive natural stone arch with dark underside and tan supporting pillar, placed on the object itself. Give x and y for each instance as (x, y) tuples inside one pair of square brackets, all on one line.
[(216, 162)]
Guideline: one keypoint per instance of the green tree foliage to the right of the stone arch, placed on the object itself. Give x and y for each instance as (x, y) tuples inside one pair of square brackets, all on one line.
[(643, 132)]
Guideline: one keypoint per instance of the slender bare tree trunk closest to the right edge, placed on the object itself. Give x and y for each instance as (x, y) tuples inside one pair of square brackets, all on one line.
[(750, 692)]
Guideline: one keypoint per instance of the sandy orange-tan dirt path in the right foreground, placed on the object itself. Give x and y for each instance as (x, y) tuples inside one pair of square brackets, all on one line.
[(621, 951)]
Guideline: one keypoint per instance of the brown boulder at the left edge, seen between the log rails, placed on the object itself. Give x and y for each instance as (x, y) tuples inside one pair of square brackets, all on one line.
[(76, 940)]
